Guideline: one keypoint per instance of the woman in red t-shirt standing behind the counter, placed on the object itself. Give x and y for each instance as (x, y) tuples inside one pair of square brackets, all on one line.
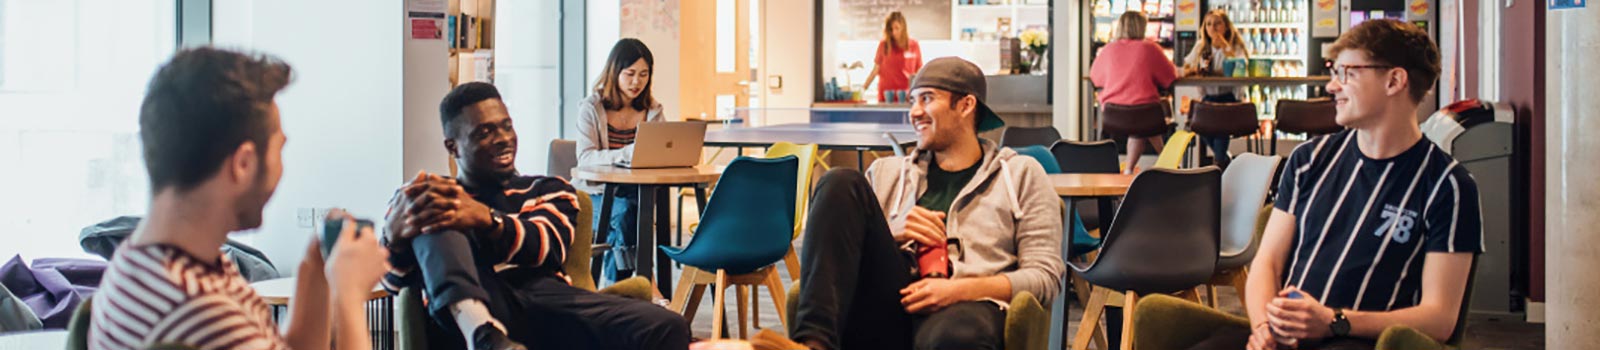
[(898, 58)]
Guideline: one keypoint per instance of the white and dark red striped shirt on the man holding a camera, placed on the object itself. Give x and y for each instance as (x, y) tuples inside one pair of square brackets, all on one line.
[(161, 295)]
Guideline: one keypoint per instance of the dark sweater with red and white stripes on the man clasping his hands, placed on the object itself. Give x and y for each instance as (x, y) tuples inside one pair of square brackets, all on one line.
[(538, 218)]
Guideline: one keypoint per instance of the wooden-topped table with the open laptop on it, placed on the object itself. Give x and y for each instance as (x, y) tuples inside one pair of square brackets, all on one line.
[(652, 194)]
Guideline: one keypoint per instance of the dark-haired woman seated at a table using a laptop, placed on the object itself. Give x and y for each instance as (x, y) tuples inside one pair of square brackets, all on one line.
[(607, 125)]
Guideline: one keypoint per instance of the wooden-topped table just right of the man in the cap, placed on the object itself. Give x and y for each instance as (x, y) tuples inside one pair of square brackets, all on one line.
[(1073, 188)]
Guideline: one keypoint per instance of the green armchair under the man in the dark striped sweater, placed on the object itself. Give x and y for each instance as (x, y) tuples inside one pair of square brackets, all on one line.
[(414, 316)]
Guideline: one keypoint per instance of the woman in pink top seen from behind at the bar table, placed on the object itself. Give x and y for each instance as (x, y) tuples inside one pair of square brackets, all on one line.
[(1132, 71)]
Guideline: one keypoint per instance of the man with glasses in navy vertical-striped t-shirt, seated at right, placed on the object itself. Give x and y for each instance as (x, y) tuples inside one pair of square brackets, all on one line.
[(1375, 228)]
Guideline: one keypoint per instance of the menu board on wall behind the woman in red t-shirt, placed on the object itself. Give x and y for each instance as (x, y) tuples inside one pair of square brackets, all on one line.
[(863, 20)]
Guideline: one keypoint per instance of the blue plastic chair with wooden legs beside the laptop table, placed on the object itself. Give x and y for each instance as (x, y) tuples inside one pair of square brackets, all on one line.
[(745, 231)]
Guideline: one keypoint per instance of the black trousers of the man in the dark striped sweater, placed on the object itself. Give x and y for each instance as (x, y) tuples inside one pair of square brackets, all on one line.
[(538, 308)]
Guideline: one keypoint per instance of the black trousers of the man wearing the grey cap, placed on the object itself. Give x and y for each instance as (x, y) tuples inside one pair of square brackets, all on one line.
[(852, 274)]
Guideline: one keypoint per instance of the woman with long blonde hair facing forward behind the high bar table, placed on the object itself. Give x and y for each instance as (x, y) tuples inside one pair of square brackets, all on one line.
[(1218, 44)]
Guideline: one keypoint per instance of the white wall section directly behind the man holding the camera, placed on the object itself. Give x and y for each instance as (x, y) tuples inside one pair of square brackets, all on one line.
[(343, 114)]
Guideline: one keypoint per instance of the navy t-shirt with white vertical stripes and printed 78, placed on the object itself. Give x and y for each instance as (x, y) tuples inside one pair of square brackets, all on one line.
[(1364, 228)]
